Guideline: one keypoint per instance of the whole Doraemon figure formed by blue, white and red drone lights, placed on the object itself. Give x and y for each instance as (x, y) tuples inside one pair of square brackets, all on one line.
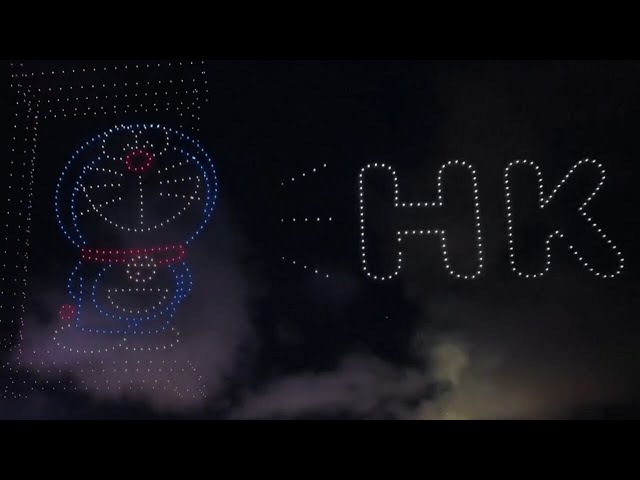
[(131, 200)]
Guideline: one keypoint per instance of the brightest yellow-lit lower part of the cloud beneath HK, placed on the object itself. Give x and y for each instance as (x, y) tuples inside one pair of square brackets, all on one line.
[(503, 389)]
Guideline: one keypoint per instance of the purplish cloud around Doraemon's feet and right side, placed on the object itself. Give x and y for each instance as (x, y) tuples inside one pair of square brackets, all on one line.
[(215, 332)]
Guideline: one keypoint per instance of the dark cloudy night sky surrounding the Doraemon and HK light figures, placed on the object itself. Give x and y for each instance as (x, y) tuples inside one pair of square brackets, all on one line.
[(273, 339)]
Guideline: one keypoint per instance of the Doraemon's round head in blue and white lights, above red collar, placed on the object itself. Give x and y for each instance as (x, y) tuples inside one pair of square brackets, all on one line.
[(138, 182)]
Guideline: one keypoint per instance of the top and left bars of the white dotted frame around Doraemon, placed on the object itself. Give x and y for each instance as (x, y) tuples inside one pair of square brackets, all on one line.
[(93, 90)]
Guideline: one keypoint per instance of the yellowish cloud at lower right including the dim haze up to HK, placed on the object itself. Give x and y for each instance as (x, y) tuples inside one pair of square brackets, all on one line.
[(531, 358)]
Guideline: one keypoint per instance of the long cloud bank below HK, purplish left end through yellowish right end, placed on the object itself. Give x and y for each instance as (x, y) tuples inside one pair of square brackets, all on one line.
[(505, 354)]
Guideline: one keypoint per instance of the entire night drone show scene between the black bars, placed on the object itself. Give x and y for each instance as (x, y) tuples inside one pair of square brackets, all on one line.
[(319, 240)]
